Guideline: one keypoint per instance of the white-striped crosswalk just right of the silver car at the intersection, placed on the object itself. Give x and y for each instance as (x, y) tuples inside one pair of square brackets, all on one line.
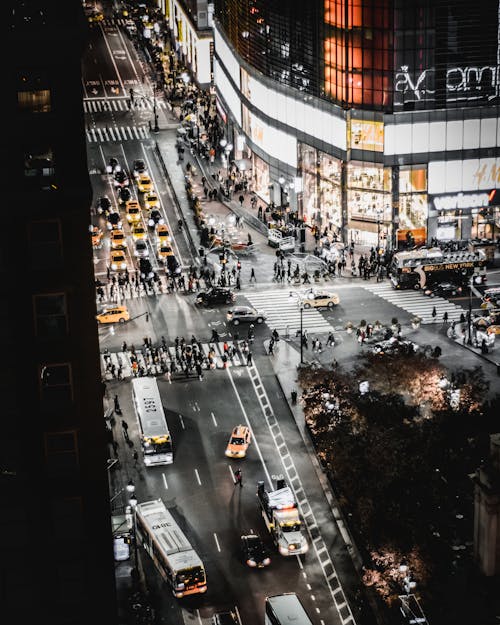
[(283, 312)]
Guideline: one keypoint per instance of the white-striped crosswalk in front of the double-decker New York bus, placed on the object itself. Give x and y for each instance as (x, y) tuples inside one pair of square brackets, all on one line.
[(416, 303)]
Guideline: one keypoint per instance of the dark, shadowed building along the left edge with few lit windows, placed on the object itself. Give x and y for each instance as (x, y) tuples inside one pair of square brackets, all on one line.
[(56, 556)]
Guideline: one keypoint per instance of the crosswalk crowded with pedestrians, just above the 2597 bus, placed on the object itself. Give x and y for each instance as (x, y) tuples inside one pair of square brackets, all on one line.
[(122, 361)]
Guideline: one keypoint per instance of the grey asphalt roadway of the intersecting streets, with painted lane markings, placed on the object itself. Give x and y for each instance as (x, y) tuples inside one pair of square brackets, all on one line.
[(198, 487)]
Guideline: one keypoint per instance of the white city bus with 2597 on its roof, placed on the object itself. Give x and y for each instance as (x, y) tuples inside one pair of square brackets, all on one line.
[(156, 442)]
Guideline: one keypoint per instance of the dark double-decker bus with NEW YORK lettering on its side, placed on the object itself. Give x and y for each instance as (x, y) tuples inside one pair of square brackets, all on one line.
[(417, 269)]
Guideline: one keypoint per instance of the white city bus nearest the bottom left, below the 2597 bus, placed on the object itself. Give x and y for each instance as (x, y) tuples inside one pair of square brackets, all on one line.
[(174, 557)]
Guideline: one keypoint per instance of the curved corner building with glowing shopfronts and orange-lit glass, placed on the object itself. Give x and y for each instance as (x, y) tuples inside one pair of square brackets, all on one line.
[(372, 118)]
